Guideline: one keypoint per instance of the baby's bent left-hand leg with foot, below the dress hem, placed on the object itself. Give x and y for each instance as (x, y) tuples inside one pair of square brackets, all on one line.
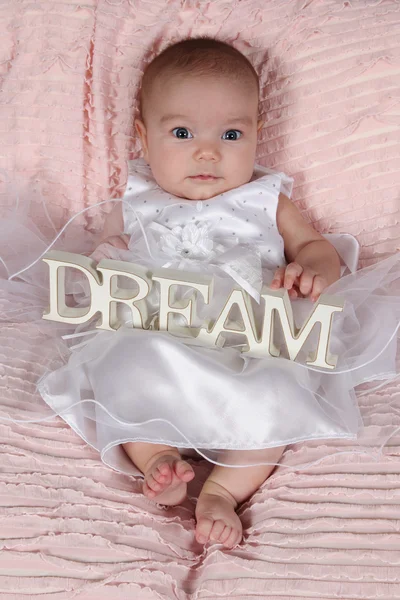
[(165, 473)]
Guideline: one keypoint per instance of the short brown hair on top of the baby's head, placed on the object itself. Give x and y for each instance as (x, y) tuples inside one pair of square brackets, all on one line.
[(199, 56)]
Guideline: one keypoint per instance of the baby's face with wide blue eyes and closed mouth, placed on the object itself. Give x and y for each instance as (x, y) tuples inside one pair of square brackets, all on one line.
[(200, 126)]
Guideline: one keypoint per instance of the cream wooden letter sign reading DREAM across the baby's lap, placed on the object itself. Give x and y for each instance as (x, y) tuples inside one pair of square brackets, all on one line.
[(105, 295)]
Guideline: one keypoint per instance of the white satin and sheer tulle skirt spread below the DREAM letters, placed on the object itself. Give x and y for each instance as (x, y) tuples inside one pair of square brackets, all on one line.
[(151, 386)]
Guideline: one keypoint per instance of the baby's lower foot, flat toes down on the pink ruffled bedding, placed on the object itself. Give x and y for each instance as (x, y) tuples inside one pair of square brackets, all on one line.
[(216, 517)]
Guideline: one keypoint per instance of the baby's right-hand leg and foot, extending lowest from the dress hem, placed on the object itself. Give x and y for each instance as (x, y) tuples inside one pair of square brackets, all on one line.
[(225, 488)]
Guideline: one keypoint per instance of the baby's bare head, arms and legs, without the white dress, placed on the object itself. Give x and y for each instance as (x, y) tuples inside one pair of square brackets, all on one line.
[(198, 129)]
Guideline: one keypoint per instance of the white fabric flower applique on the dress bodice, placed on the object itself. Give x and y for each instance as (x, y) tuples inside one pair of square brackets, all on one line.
[(191, 241)]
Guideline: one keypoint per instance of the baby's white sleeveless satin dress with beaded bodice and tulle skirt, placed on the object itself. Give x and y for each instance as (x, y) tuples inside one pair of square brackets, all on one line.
[(151, 386)]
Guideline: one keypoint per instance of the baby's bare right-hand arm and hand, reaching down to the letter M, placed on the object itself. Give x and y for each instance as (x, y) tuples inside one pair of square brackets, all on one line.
[(313, 263)]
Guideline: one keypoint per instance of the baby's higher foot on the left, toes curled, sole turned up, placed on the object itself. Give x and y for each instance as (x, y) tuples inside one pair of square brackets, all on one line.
[(166, 478)]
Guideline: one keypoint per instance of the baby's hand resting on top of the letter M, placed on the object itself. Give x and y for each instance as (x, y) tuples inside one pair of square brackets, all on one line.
[(299, 281)]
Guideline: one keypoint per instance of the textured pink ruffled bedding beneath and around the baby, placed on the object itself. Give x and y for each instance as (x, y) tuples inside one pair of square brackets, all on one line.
[(330, 75)]
